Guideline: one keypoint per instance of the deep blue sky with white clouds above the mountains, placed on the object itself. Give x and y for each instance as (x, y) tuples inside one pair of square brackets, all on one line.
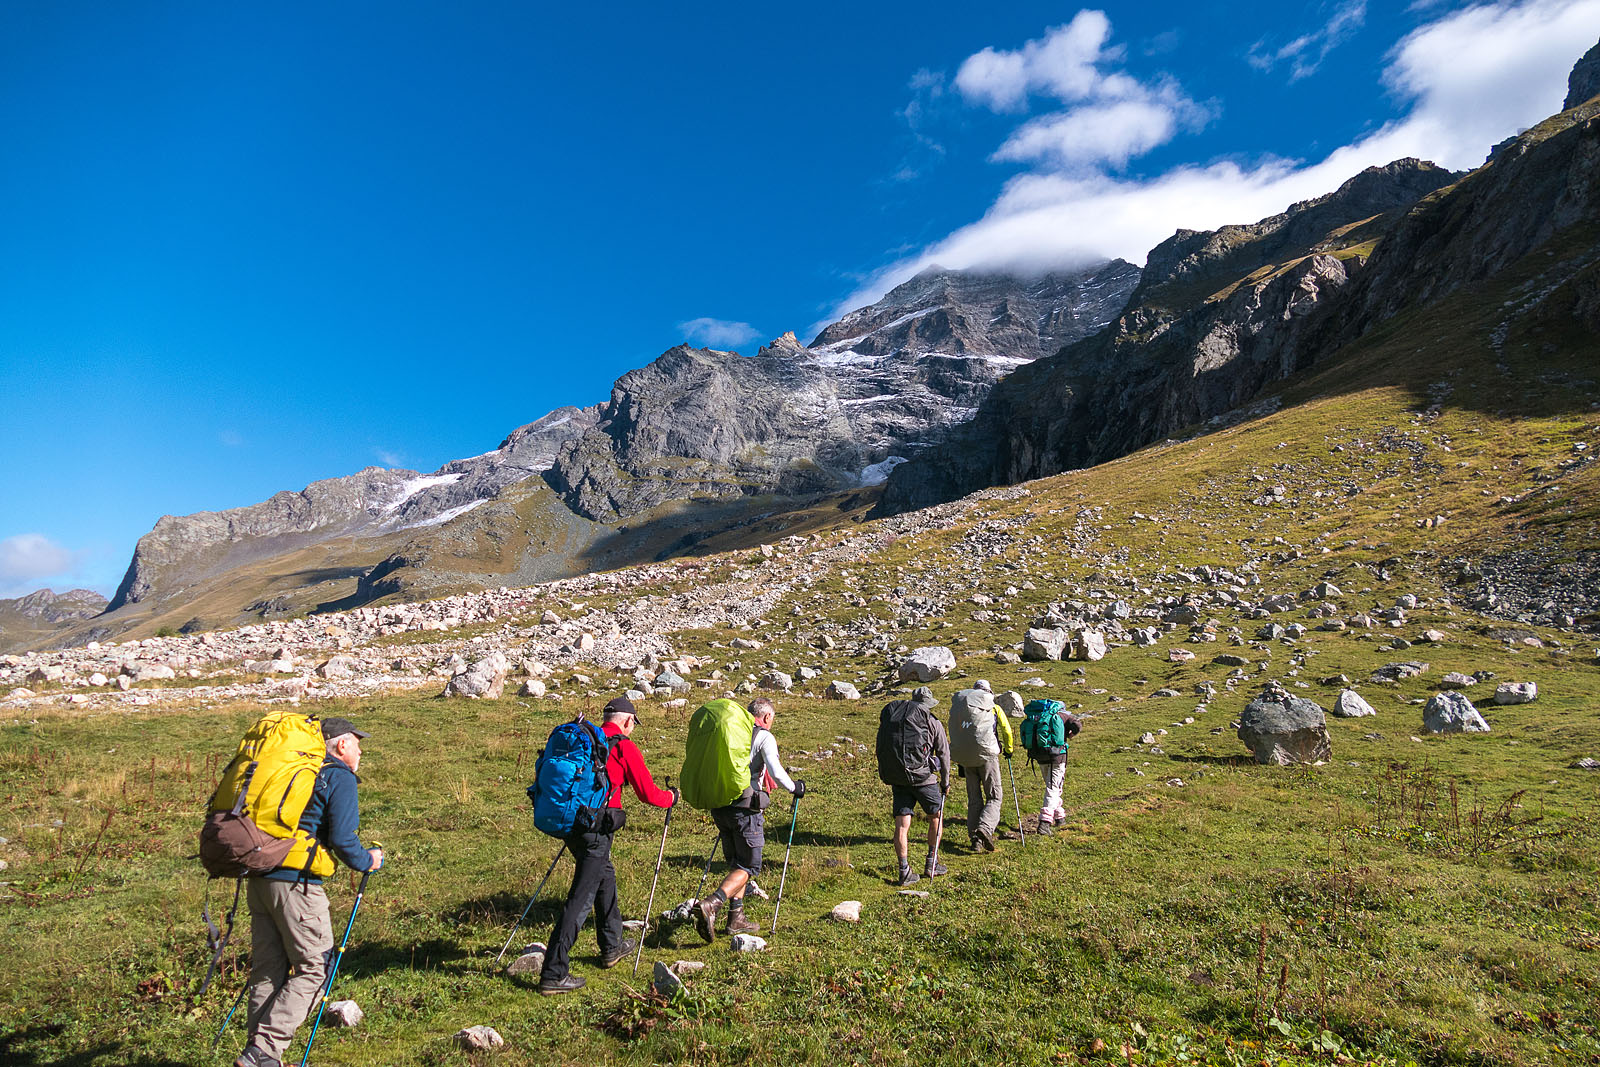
[(242, 250)]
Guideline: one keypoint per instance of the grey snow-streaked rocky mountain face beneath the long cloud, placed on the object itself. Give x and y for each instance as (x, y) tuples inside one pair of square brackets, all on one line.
[(798, 420)]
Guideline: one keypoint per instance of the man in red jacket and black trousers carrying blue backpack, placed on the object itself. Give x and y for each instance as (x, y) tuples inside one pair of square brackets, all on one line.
[(578, 797)]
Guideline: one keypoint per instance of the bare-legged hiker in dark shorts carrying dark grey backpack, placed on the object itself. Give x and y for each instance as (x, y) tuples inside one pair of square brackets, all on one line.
[(914, 761)]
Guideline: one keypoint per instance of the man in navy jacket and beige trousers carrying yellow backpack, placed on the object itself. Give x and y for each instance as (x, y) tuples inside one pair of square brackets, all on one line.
[(282, 813)]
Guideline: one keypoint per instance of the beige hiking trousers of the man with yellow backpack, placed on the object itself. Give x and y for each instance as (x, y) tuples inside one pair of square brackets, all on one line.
[(289, 932)]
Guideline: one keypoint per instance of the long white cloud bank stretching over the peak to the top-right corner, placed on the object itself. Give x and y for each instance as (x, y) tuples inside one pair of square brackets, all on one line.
[(1466, 82)]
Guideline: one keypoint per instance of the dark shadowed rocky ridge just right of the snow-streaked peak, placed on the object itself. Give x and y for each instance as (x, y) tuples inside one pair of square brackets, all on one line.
[(1215, 319)]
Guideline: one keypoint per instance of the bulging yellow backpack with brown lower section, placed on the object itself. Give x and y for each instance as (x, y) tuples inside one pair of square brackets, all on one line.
[(254, 818)]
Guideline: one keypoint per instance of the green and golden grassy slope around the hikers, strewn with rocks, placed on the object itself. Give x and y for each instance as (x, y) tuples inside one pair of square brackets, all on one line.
[(1430, 901)]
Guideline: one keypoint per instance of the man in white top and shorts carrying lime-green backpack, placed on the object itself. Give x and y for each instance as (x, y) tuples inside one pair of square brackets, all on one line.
[(730, 769)]
